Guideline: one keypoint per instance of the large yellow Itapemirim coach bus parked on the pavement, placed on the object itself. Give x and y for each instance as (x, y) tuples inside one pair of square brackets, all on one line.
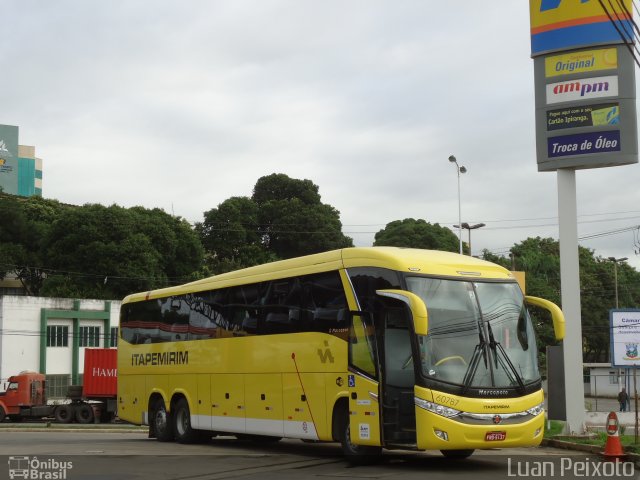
[(377, 347)]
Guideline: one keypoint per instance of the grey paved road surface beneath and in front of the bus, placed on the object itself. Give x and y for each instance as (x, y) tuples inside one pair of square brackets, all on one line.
[(99, 455)]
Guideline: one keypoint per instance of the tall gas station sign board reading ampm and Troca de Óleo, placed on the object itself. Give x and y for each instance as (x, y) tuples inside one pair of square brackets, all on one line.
[(585, 87)]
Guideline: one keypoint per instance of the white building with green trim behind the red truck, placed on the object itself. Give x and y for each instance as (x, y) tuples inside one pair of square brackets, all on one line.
[(49, 335)]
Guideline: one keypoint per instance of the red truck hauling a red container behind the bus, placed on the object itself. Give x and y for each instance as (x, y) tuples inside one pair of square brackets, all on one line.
[(95, 401)]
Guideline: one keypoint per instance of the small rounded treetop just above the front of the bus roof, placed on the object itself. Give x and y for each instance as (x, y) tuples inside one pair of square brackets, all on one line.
[(417, 234)]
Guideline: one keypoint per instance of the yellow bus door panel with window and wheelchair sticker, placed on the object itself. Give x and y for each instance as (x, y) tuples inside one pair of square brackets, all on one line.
[(364, 391)]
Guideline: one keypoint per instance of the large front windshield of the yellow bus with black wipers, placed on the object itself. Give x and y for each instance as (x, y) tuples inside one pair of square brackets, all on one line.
[(480, 334)]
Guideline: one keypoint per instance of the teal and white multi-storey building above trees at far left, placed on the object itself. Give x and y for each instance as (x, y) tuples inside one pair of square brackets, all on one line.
[(20, 170)]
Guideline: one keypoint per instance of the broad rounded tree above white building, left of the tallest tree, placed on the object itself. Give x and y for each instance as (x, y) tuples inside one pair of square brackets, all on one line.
[(109, 252)]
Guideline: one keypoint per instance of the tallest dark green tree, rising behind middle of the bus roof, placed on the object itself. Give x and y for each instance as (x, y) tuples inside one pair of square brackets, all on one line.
[(284, 218)]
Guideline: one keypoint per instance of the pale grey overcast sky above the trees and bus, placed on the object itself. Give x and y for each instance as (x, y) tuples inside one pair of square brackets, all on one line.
[(182, 104)]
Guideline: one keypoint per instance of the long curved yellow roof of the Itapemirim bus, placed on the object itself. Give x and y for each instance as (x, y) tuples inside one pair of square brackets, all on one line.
[(429, 262)]
